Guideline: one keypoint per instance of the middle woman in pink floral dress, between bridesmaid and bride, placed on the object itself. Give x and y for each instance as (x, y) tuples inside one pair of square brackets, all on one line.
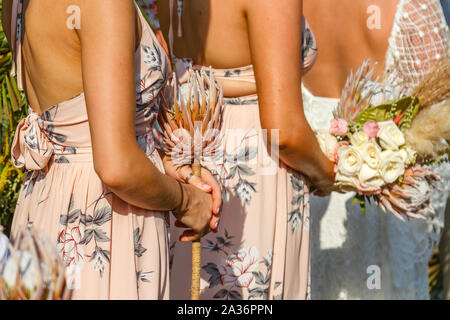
[(262, 248)]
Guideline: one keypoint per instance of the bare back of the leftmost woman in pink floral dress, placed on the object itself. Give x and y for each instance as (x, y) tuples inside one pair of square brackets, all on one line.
[(51, 51)]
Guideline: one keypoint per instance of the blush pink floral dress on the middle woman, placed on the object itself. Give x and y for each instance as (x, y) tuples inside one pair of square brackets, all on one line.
[(262, 250)]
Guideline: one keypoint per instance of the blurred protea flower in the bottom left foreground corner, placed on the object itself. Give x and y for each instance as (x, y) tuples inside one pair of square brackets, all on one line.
[(33, 269)]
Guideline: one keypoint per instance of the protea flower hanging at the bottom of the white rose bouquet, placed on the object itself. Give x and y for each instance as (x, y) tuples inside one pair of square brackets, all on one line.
[(411, 198)]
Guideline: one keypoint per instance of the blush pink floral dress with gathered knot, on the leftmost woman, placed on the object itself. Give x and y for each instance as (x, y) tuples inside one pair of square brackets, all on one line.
[(112, 249)]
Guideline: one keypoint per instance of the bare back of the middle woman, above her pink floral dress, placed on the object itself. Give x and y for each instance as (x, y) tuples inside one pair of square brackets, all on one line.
[(214, 32)]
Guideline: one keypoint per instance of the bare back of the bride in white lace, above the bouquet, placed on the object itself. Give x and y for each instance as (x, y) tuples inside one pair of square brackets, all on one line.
[(345, 39)]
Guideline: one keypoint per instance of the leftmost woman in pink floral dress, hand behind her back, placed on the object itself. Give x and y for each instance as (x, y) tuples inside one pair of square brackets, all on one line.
[(92, 71)]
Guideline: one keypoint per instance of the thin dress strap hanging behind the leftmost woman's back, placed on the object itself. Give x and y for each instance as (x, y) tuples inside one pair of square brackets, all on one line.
[(16, 41)]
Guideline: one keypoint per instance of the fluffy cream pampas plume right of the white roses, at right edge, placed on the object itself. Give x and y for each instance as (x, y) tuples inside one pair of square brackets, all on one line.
[(429, 134)]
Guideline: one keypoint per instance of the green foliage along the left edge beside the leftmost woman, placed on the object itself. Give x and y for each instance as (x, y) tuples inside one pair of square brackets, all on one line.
[(13, 108)]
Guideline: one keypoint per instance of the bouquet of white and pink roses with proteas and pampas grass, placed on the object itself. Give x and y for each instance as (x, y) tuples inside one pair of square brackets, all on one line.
[(380, 151)]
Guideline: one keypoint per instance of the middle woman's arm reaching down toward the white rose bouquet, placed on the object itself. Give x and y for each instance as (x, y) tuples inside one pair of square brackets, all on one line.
[(275, 42)]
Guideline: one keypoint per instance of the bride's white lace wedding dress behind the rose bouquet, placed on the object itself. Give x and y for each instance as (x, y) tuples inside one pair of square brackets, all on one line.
[(350, 252)]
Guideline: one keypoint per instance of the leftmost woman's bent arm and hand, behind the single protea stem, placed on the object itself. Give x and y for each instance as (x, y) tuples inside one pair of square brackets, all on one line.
[(108, 43)]
